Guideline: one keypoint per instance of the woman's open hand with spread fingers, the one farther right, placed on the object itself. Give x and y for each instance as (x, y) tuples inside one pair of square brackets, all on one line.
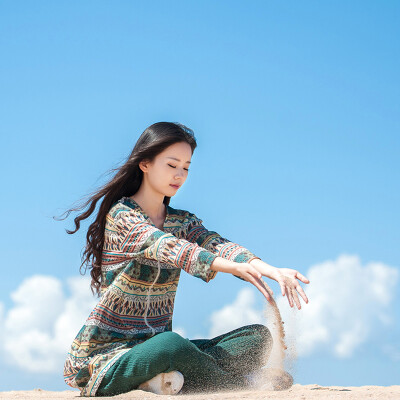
[(287, 279)]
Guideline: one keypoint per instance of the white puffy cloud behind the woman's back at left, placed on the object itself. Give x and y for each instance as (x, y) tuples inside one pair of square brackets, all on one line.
[(39, 329)]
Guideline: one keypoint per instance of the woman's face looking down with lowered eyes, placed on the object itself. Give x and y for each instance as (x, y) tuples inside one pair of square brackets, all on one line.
[(169, 169)]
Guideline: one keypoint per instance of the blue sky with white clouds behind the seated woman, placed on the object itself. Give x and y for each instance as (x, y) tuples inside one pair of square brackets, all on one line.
[(295, 107)]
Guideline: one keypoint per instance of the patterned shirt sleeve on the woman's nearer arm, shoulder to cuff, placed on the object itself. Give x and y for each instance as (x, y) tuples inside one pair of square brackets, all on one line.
[(139, 238)]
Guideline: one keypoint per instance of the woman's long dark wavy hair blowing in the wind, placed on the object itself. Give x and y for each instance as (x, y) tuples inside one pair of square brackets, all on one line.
[(126, 182)]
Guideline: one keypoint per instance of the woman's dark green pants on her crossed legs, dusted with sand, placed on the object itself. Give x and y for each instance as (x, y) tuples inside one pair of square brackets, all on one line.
[(206, 364)]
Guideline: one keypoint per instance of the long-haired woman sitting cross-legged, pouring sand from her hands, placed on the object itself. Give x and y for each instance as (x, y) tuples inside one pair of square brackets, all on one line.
[(137, 247)]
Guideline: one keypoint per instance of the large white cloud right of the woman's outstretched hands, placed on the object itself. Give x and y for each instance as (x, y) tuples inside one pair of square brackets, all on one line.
[(347, 303)]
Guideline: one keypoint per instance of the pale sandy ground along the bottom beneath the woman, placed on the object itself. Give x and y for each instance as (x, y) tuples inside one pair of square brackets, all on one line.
[(300, 392)]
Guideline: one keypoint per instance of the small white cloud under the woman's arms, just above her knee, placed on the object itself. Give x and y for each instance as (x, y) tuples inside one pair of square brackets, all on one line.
[(240, 312)]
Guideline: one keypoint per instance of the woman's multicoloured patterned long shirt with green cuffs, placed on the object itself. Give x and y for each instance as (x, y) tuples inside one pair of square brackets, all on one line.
[(139, 259)]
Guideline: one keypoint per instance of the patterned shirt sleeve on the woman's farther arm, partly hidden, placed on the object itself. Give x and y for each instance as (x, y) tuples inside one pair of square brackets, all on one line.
[(215, 243)]
